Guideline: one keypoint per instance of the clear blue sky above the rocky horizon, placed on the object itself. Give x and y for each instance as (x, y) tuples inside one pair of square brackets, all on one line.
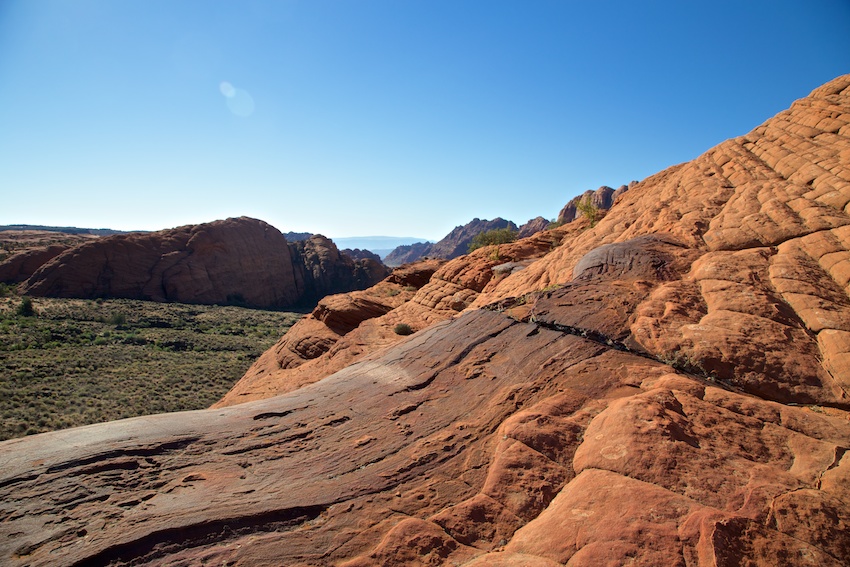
[(390, 117)]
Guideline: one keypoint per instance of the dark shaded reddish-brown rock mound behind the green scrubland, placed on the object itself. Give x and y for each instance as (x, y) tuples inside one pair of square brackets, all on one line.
[(242, 261)]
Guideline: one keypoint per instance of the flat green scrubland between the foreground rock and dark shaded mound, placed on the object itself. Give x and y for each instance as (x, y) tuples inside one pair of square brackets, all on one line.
[(77, 362)]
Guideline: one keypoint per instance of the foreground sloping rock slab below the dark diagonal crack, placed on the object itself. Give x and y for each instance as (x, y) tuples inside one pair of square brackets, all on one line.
[(480, 440)]
